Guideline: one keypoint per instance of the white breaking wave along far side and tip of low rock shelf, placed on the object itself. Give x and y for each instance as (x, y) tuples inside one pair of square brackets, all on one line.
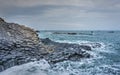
[(96, 46)]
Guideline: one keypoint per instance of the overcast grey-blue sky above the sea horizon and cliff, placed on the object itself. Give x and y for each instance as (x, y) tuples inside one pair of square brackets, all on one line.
[(63, 14)]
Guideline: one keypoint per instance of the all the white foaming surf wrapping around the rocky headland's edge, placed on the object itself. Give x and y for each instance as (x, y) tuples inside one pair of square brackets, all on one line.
[(91, 66)]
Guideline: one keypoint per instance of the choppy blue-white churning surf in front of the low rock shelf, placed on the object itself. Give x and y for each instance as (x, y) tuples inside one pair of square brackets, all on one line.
[(87, 67)]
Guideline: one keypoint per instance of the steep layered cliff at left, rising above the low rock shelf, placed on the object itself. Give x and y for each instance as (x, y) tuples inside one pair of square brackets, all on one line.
[(18, 45)]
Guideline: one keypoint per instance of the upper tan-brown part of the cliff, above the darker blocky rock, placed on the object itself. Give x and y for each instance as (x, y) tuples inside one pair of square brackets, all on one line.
[(14, 32)]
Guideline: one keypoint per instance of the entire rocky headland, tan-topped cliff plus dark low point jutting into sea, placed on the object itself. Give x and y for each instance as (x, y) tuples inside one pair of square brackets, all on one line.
[(20, 44)]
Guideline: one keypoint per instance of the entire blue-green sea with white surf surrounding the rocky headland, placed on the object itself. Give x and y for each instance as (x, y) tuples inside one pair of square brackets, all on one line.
[(105, 60)]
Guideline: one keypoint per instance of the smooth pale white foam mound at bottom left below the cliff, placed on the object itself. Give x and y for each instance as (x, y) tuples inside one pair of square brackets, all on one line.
[(32, 68)]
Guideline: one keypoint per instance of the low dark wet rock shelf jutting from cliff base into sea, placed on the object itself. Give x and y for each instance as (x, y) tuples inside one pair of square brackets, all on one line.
[(65, 51)]
